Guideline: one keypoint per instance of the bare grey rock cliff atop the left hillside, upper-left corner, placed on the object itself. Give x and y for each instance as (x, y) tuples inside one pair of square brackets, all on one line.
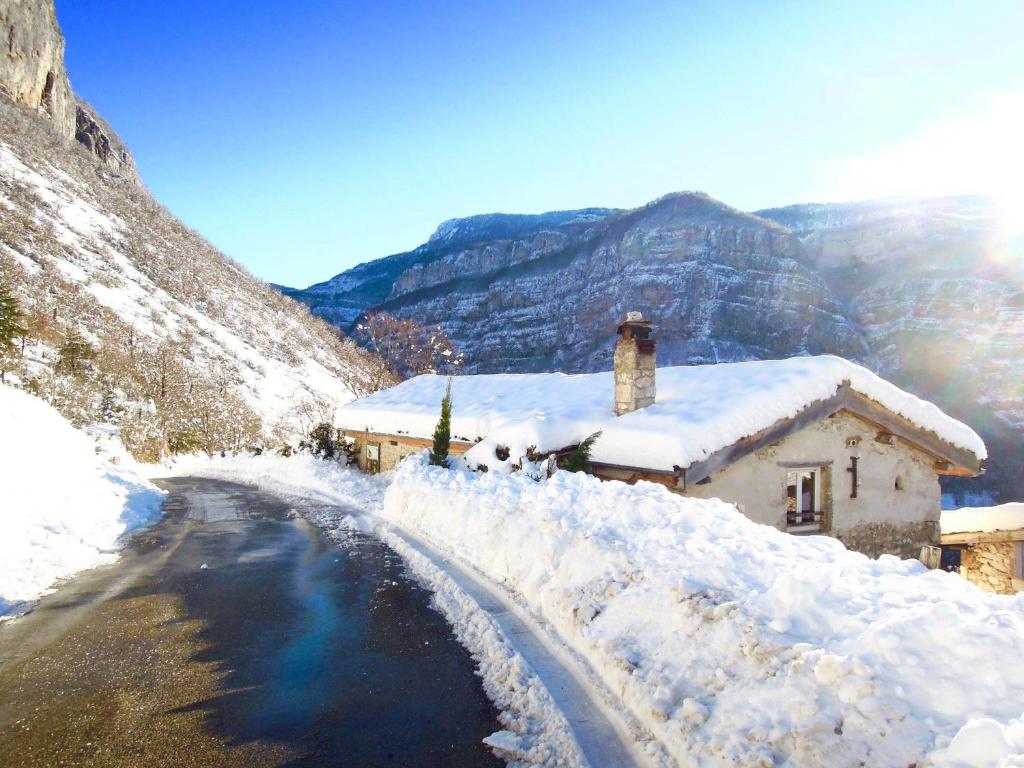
[(33, 74)]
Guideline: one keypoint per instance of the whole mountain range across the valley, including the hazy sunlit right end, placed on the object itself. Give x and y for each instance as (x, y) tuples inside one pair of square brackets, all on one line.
[(923, 291)]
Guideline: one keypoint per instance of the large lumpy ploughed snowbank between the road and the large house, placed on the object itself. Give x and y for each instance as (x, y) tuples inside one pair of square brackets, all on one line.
[(733, 642)]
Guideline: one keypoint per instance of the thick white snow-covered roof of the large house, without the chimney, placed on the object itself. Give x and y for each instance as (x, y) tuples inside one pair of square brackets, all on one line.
[(699, 410)]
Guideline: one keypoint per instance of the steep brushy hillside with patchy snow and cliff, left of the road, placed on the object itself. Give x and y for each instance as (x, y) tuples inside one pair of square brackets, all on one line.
[(183, 349)]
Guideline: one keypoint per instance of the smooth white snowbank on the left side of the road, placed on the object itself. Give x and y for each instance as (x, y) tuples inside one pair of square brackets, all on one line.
[(63, 508)]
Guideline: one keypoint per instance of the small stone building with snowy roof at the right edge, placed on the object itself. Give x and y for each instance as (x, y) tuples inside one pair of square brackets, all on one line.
[(987, 546)]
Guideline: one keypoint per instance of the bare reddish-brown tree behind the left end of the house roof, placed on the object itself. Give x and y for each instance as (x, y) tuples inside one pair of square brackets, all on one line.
[(407, 348)]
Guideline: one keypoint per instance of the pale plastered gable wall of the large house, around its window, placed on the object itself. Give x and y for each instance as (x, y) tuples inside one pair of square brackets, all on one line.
[(881, 520)]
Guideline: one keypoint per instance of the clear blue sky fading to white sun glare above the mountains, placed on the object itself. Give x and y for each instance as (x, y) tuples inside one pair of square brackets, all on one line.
[(305, 138)]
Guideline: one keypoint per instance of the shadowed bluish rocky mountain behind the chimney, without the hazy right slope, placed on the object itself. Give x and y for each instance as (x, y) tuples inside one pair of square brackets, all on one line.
[(718, 283)]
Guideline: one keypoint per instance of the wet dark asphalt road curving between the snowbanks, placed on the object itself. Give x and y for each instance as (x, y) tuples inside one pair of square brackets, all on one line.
[(233, 633)]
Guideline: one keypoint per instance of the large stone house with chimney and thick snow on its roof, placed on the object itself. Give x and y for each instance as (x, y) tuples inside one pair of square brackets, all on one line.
[(806, 445)]
